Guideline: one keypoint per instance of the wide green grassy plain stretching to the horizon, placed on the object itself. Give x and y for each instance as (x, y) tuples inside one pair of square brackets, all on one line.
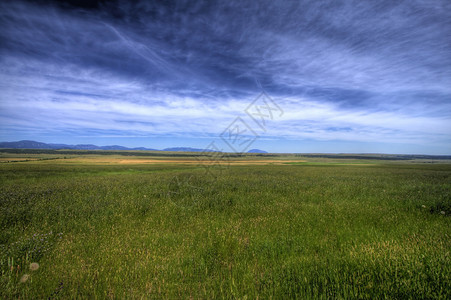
[(285, 227)]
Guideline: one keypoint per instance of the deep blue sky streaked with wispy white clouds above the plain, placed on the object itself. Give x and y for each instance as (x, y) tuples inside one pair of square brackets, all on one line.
[(282, 76)]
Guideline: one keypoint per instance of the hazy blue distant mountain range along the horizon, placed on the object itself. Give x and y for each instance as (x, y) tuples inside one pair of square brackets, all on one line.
[(38, 145)]
